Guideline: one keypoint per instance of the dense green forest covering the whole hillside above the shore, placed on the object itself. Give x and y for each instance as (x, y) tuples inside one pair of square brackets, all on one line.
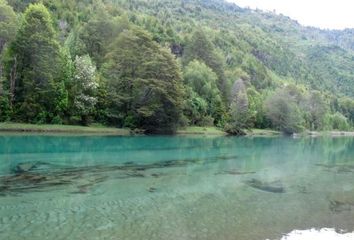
[(164, 64)]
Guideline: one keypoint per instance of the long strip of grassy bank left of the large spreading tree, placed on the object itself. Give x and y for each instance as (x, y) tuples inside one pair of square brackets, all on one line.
[(34, 128)]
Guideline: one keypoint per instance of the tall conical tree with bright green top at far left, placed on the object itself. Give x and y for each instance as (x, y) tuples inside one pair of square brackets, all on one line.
[(35, 69)]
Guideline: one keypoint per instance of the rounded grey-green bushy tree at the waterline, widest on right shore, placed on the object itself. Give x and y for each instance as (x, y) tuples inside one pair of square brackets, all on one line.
[(283, 112)]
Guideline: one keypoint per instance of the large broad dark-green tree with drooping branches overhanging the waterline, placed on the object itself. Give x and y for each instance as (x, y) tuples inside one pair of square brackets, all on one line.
[(144, 83)]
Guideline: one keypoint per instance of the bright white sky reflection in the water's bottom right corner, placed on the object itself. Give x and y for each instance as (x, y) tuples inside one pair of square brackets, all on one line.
[(323, 234)]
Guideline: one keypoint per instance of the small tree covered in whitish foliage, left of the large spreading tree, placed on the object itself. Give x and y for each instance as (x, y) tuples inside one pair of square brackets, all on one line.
[(83, 90)]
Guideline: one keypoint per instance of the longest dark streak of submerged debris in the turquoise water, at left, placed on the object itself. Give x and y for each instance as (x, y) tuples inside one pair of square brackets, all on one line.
[(38, 176)]
